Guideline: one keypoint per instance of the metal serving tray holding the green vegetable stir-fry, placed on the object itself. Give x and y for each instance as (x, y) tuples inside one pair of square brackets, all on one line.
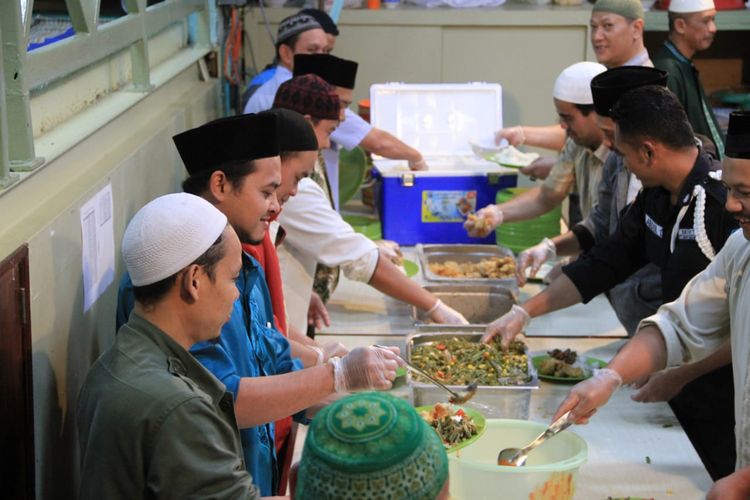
[(491, 401)]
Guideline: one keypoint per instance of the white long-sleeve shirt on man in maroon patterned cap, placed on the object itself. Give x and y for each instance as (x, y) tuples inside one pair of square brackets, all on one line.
[(316, 233)]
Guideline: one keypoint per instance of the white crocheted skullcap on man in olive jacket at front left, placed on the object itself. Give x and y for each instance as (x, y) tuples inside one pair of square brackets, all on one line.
[(168, 234)]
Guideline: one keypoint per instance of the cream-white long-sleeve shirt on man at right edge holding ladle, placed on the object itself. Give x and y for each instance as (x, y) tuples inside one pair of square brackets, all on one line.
[(712, 305)]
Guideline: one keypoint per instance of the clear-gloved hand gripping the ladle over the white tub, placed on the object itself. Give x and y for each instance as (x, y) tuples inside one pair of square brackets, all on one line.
[(586, 397)]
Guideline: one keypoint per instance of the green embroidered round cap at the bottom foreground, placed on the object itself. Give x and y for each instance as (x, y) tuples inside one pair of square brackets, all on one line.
[(371, 445)]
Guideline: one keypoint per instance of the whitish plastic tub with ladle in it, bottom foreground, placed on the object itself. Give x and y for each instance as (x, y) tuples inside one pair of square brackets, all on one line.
[(552, 467)]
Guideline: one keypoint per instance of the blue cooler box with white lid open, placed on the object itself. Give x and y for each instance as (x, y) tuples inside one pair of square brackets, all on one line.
[(438, 120)]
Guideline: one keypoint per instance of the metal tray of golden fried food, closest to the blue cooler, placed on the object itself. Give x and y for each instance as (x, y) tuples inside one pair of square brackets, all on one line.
[(463, 253)]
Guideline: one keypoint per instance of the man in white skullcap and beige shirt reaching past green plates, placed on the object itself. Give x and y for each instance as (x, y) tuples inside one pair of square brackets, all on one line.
[(577, 169)]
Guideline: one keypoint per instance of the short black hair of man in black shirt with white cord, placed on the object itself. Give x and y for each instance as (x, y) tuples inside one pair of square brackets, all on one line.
[(653, 112)]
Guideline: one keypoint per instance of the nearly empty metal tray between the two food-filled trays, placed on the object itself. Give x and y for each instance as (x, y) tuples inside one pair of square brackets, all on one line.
[(479, 303)]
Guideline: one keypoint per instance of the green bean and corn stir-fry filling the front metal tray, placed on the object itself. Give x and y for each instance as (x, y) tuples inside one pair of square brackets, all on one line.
[(457, 361)]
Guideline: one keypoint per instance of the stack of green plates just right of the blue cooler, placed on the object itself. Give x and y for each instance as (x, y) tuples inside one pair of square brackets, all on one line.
[(519, 236)]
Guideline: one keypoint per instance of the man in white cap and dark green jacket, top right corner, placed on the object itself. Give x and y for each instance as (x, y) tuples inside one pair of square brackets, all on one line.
[(692, 28)]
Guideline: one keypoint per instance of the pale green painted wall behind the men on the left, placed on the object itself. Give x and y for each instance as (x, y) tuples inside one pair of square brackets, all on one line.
[(135, 153)]
